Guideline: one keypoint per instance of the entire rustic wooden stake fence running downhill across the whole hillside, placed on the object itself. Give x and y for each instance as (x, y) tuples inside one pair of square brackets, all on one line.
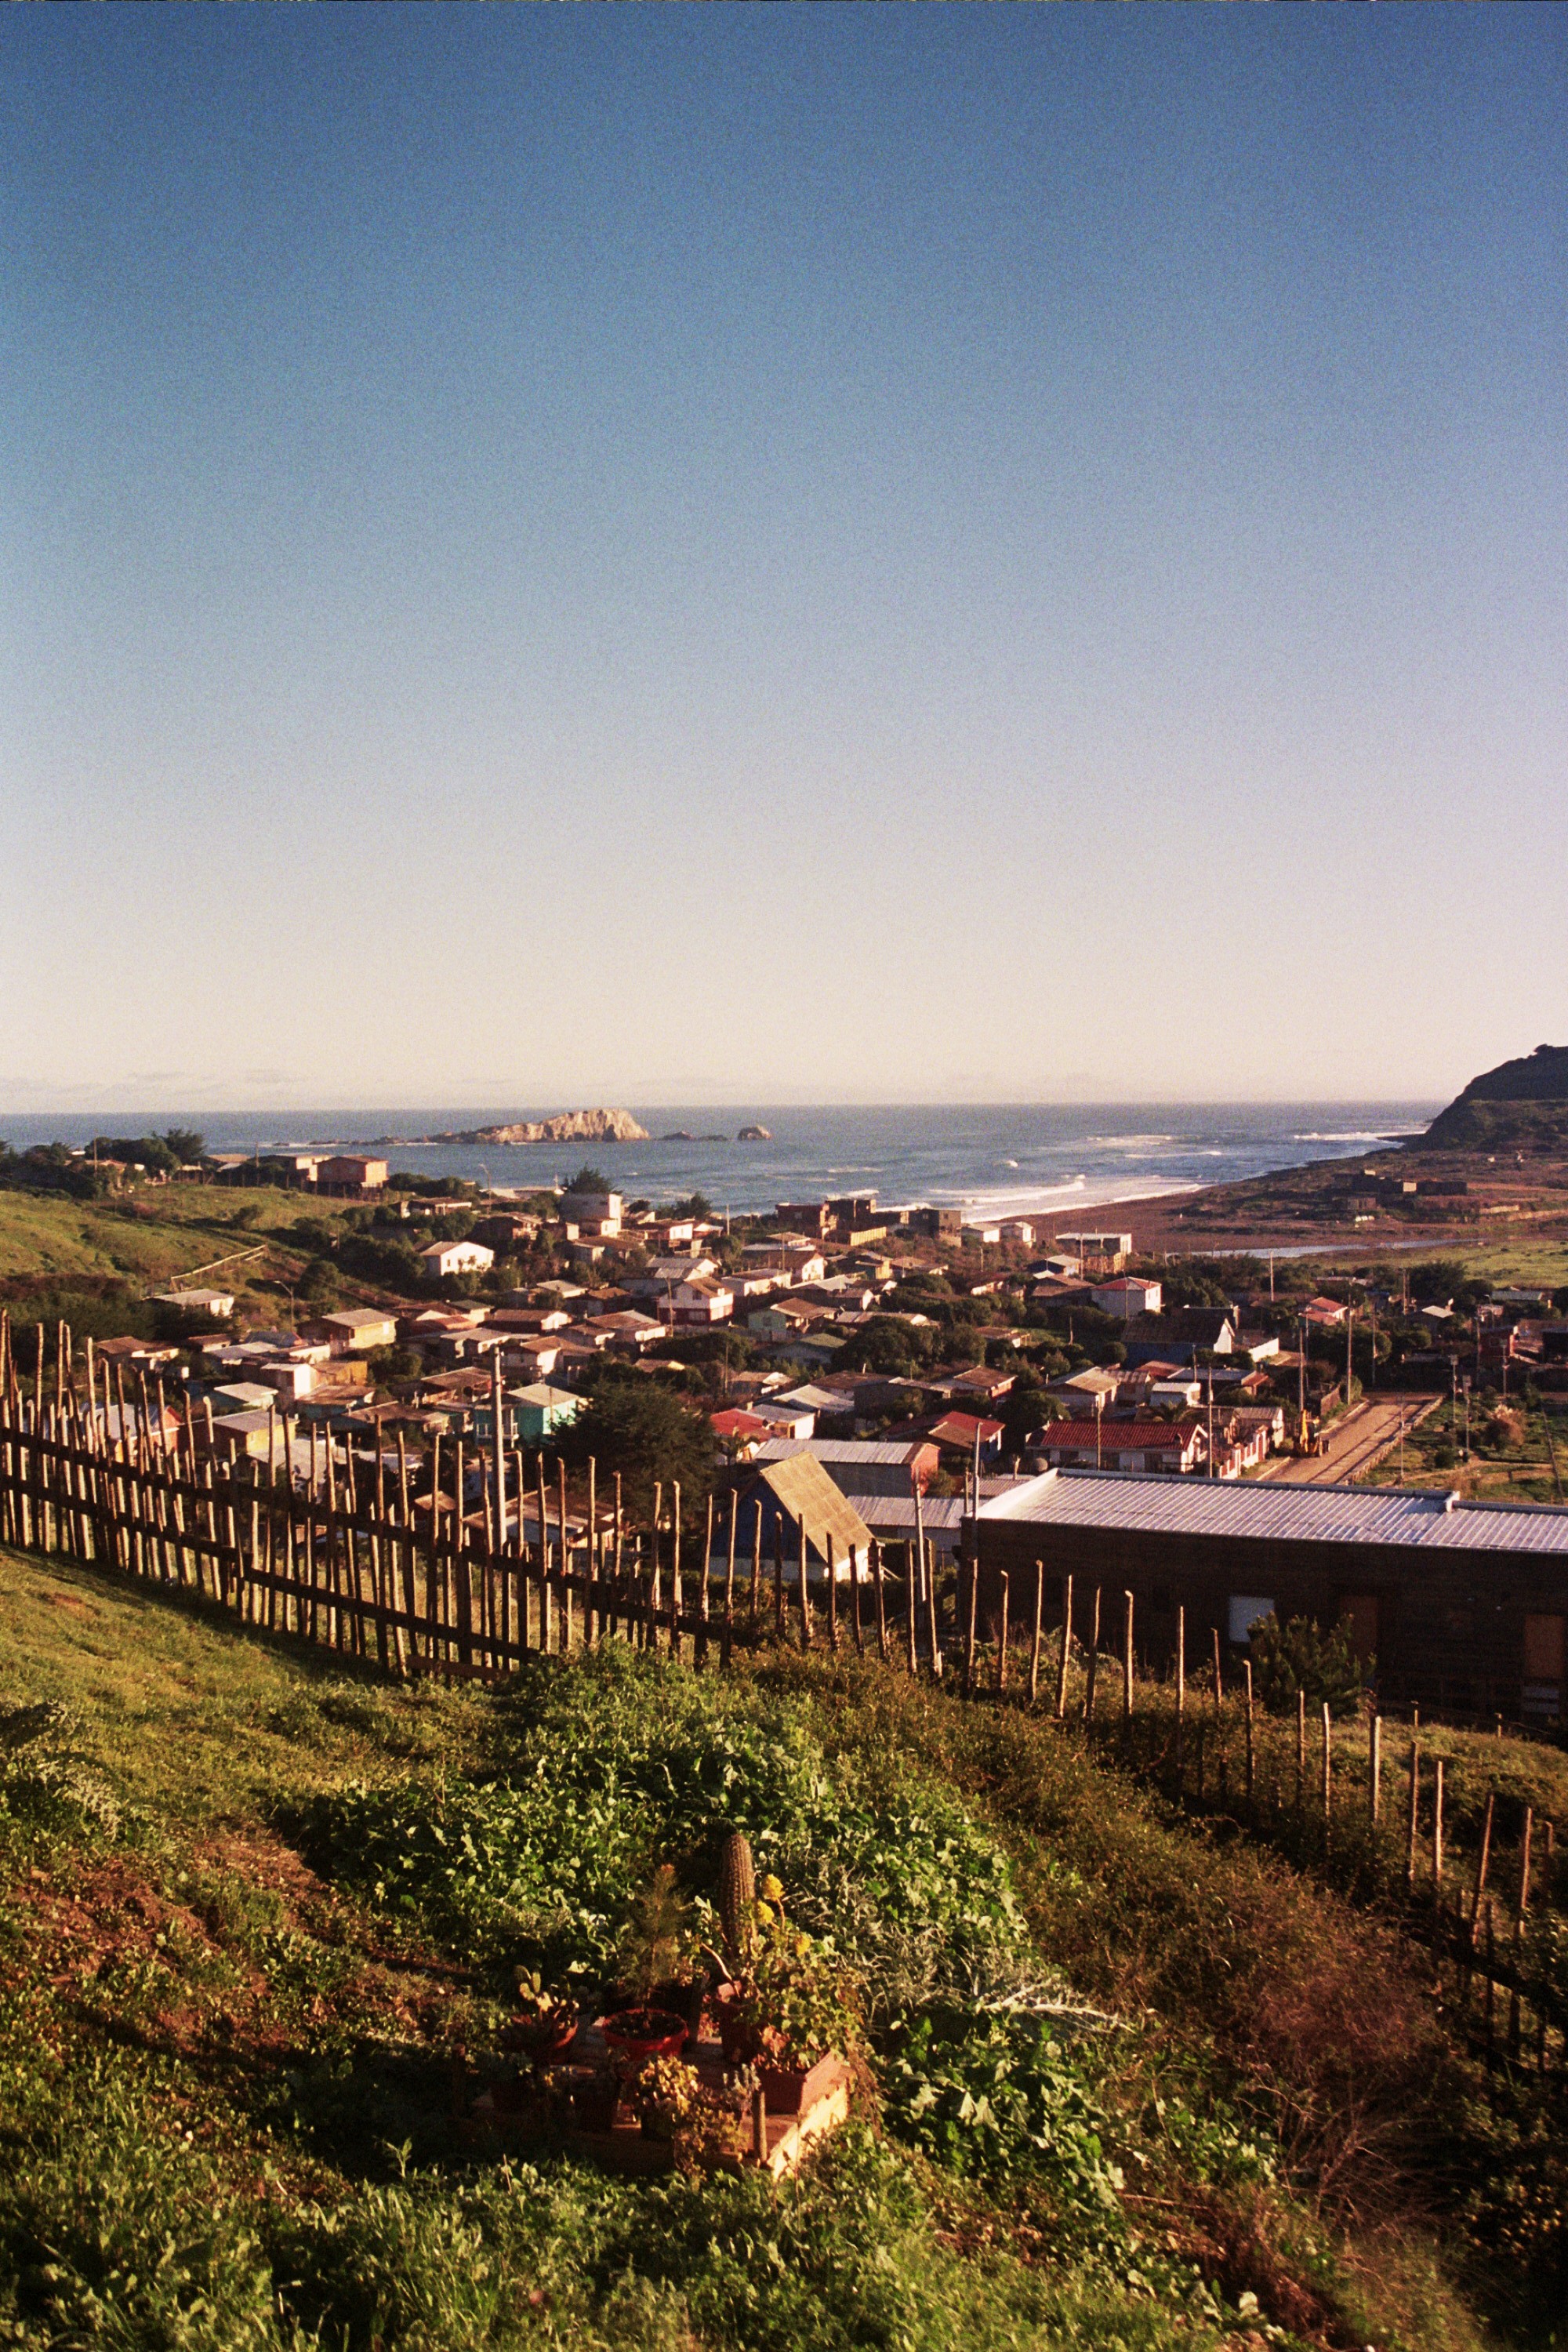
[(337, 1551)]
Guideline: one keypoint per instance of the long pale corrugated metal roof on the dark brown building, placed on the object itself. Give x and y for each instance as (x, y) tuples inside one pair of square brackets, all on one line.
[(1195, 1506)]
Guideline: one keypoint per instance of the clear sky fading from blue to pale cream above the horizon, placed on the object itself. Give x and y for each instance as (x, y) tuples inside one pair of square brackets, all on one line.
[(782, 554)]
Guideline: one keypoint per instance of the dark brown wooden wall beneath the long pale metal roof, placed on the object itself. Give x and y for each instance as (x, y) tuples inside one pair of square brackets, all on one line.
[(1447, 1629)]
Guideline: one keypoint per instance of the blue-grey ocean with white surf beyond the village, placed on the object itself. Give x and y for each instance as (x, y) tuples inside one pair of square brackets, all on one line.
[(989, 1161)]
